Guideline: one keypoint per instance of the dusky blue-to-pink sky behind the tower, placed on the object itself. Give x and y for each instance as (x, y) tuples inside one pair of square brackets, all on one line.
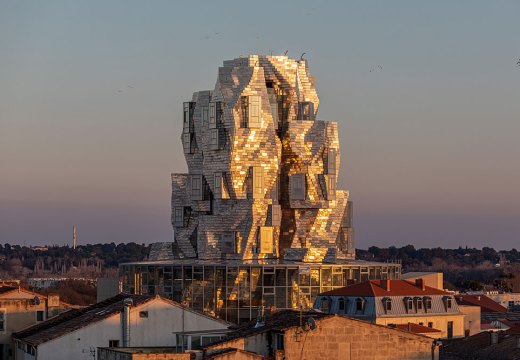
[(427, 96)]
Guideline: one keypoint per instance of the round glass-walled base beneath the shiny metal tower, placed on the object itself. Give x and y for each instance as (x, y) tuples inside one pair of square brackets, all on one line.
[(236, 291)]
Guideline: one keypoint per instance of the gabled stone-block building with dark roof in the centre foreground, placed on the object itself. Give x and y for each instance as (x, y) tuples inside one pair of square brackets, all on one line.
[(289, 334)]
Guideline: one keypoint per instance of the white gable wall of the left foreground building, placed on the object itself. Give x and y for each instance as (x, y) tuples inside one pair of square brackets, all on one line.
[(164, 319)]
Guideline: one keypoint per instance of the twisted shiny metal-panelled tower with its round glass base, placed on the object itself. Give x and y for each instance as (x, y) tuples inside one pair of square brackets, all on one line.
[(258, 219)]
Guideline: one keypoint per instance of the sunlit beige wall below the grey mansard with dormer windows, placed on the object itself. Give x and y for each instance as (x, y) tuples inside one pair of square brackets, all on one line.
[(440, 322)]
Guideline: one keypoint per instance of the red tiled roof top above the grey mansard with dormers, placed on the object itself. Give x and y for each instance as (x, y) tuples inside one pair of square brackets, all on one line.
[(374, 288)]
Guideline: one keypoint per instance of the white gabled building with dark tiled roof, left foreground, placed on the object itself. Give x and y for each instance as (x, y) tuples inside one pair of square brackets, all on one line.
[(123, 320)]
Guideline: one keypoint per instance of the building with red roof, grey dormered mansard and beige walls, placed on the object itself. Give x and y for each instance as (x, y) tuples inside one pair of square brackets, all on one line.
[(395, 302)]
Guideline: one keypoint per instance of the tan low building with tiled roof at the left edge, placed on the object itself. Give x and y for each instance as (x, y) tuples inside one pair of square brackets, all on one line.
[(21, 308)]
